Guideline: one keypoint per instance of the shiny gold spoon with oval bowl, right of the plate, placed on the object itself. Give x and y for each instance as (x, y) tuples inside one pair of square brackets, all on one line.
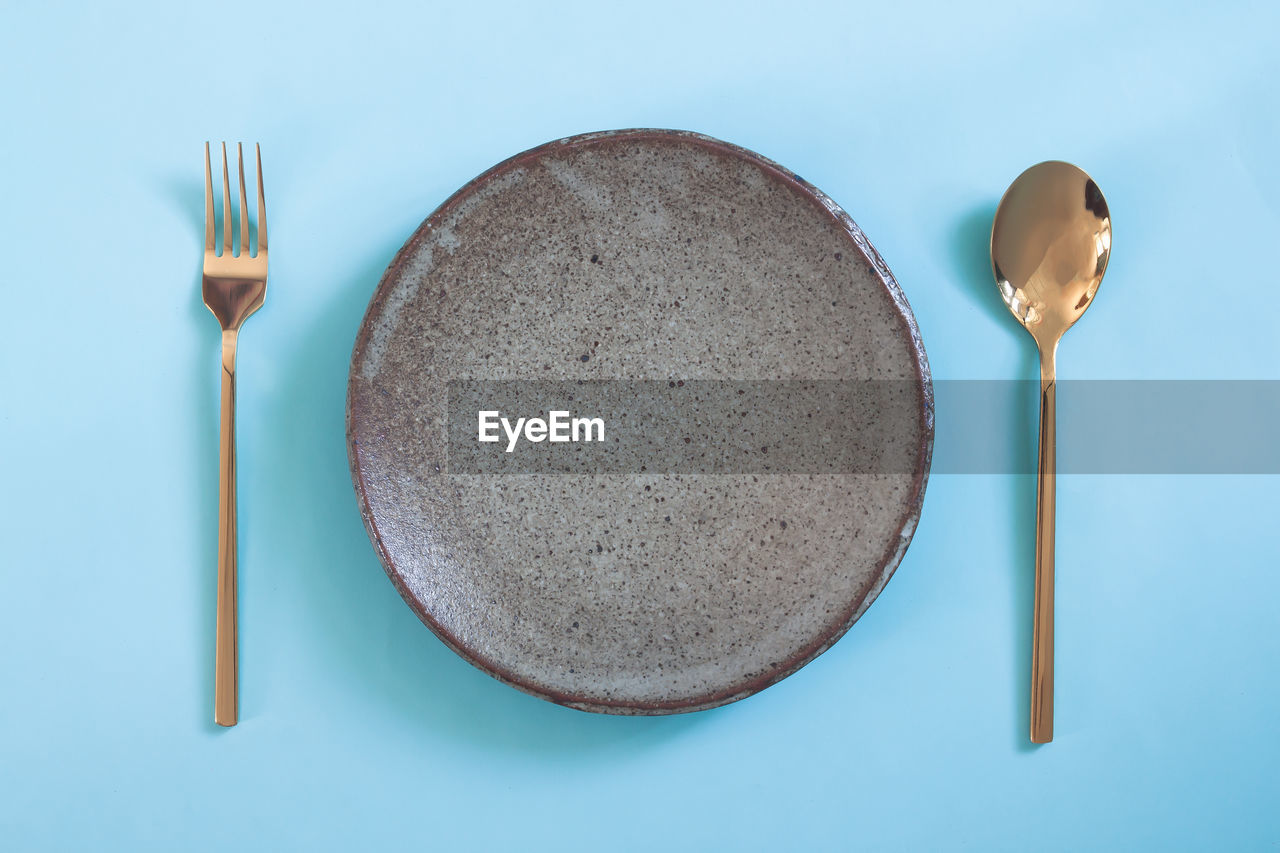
[(1050, 245)]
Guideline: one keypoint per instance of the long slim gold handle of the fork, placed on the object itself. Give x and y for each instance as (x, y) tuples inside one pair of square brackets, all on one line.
[(226, 691)]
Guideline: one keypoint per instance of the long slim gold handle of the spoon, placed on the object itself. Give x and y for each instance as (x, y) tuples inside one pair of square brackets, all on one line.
[(1043, 638)]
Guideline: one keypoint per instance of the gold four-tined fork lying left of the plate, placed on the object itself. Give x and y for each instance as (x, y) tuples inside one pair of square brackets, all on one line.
[(235, 288)]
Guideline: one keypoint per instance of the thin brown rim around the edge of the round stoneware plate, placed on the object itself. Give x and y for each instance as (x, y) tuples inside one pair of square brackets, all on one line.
[(894, 554)]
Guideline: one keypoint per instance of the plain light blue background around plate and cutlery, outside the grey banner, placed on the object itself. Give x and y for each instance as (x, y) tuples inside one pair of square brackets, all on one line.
[(360, 729)]
